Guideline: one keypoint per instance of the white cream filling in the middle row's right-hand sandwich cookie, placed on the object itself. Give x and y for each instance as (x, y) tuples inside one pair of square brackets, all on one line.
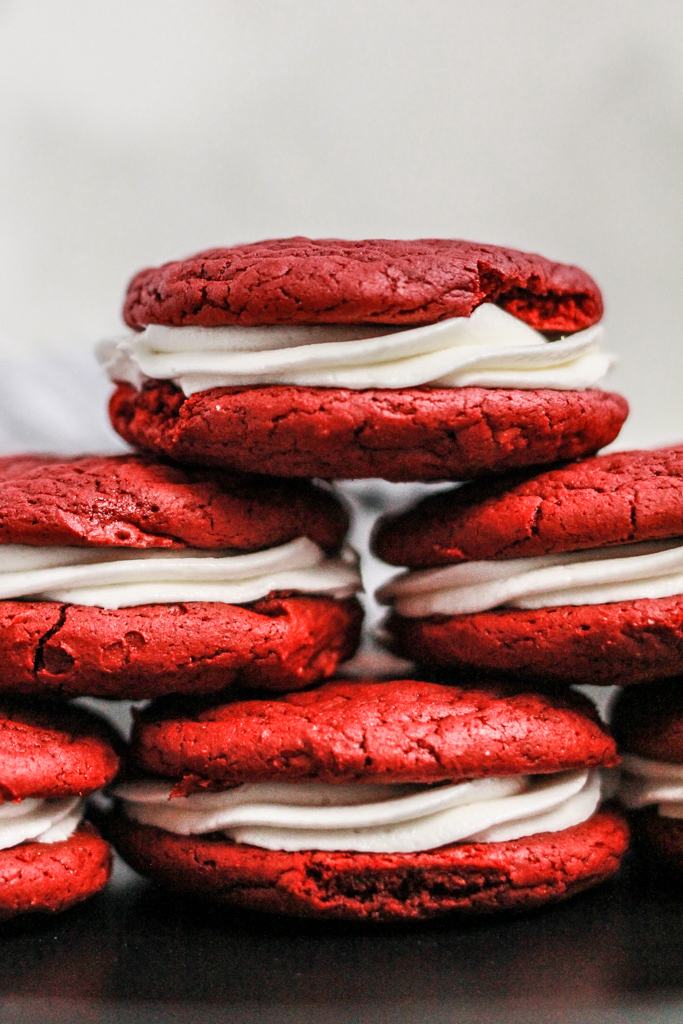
[(651, 570)]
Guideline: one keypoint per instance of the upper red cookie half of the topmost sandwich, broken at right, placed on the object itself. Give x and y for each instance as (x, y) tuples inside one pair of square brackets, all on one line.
[(332, 281)]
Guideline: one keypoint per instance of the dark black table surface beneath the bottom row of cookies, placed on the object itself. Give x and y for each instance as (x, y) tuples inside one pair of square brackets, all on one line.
[(137, 954)]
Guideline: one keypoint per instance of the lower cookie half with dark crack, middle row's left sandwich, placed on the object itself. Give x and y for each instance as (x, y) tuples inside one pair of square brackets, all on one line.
[(136, 654)]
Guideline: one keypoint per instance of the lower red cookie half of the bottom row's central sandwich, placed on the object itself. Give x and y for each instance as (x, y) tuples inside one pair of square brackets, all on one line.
[(466, 879)]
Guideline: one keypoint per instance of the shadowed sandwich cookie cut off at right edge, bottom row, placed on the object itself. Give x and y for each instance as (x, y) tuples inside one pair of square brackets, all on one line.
[(649, 726)]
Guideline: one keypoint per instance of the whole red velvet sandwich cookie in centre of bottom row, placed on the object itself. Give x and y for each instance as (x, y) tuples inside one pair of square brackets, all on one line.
[(373, 801)]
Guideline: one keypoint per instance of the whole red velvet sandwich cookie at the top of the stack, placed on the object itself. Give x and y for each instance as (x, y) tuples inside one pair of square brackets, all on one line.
[(410, 361)]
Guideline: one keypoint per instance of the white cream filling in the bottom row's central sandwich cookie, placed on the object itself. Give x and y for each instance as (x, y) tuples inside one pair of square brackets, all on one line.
[(368, 818)]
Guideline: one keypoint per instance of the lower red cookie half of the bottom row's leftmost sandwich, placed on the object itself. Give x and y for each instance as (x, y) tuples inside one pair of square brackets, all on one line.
[(52, 877)]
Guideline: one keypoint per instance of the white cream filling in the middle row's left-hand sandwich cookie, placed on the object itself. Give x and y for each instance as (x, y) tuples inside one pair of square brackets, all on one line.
[(122, 578)]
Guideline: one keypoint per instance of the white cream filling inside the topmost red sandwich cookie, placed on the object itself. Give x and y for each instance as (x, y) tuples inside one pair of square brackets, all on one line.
[(491, 349)]
